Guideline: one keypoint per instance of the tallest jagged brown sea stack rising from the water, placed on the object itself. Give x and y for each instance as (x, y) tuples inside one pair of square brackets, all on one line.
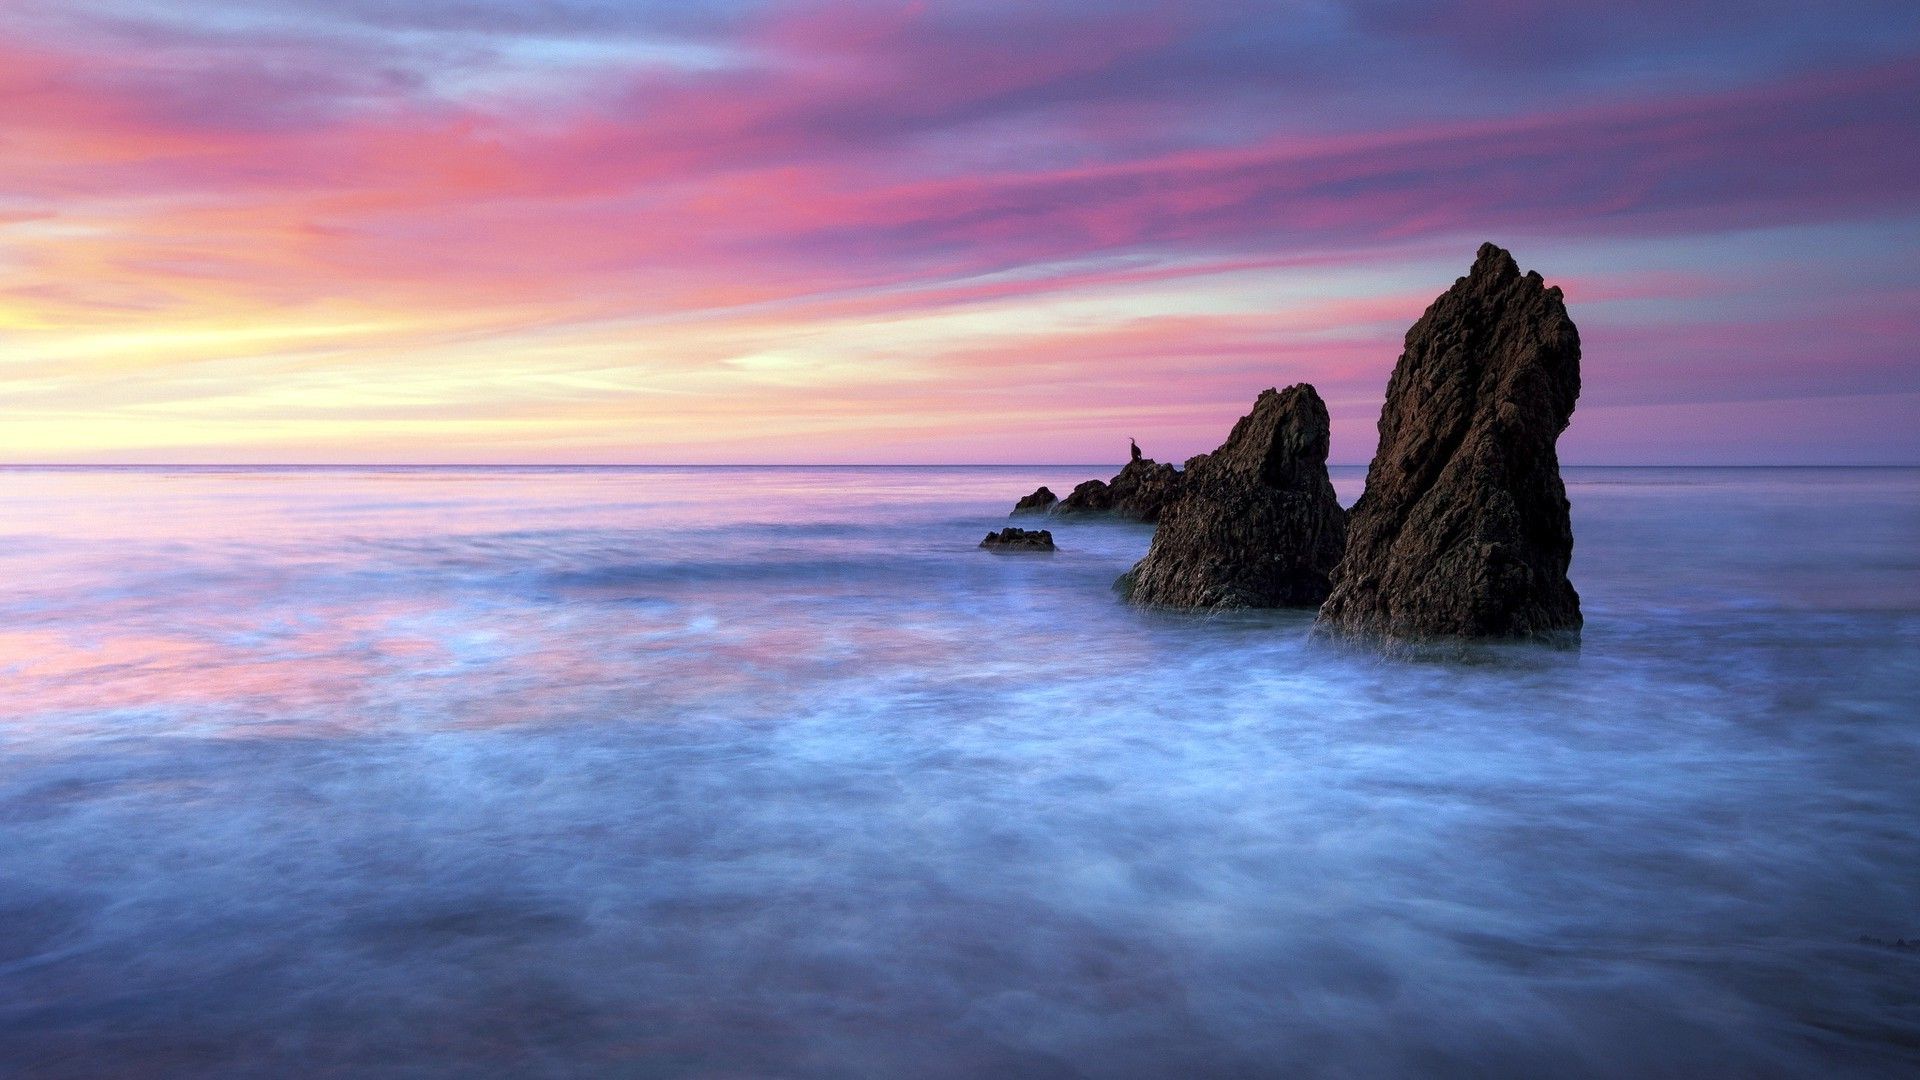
[(1464, 529)]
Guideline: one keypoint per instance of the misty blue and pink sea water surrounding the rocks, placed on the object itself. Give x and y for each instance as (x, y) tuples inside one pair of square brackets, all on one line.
[(773, 773)]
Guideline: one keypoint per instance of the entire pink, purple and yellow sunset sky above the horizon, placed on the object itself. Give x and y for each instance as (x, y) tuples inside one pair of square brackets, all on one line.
[(915, 233)]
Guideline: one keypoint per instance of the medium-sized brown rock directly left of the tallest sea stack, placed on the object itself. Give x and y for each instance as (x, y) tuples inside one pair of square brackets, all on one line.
[(1257, 524)]
